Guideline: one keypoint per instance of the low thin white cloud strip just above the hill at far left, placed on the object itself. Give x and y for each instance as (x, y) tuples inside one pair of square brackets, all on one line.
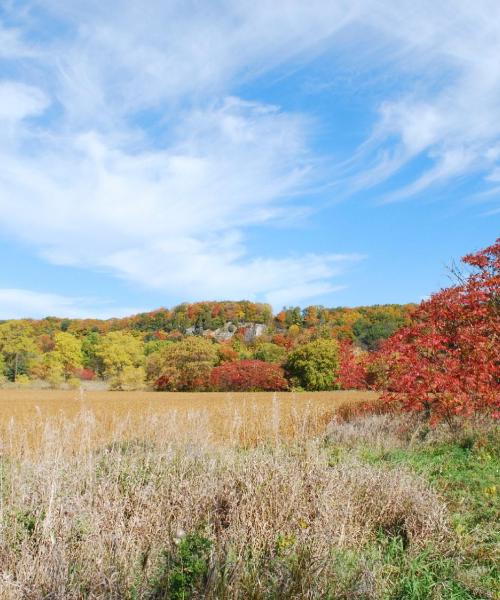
[(21, 303)]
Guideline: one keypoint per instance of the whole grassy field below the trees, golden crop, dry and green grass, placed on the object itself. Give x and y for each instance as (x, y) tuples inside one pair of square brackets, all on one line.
[(263, 496)]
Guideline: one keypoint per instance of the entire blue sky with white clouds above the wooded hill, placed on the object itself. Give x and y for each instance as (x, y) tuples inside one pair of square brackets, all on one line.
[(334, 152)]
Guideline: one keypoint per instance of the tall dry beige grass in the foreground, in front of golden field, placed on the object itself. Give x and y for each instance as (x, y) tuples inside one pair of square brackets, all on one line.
[(91, 511)]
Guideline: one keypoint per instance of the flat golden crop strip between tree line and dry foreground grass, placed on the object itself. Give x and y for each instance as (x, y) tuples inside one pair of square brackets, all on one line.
[(28, 416)]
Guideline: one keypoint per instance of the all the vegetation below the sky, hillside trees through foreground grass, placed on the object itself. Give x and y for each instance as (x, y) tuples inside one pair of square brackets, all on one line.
[(224, 496)]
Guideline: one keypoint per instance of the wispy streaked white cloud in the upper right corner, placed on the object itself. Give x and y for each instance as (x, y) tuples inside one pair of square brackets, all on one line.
[(451, 111)]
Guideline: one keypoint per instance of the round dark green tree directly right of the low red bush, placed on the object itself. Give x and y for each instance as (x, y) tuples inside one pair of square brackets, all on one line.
[(315, 365)]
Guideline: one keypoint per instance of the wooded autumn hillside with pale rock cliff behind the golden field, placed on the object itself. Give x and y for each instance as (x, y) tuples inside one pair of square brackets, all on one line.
[(177, 349)]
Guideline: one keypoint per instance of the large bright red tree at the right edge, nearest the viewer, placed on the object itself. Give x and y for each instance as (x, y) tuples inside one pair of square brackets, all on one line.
[(447, 362)]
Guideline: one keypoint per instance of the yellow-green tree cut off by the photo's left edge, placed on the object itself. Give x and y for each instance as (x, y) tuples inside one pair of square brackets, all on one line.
[(16, 344)]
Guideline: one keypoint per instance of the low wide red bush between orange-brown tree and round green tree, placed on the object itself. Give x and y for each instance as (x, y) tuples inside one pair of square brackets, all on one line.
[(248, 375)]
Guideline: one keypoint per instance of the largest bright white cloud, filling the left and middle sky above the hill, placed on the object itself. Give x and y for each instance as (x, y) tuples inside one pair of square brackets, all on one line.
[(172, 219)]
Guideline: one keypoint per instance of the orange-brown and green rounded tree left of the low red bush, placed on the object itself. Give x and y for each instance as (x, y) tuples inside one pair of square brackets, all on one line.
[(186, 365)]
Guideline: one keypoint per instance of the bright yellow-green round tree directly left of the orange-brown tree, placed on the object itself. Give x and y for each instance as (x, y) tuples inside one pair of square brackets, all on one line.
[(119, 350)]
